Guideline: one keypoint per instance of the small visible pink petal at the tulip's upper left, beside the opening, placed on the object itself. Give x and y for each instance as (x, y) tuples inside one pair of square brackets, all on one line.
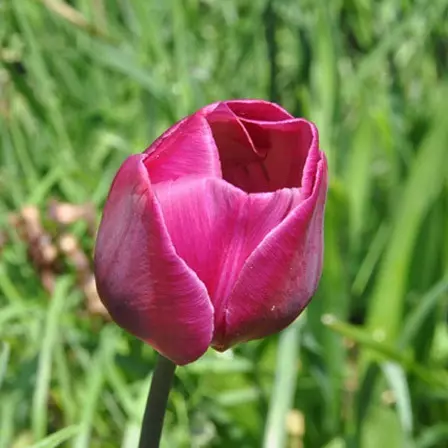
[(186, 149)]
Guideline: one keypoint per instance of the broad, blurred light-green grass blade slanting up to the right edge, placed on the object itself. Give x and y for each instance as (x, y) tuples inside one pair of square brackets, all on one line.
[(423, 185)]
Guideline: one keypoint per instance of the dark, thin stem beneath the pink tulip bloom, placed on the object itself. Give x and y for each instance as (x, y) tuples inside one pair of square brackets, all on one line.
[(156, 403)]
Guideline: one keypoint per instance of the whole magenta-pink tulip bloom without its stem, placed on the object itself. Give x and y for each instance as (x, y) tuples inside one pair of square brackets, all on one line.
[(213, 235)]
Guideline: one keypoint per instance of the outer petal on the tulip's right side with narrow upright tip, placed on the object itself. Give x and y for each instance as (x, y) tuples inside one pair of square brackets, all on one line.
[(280, 277)]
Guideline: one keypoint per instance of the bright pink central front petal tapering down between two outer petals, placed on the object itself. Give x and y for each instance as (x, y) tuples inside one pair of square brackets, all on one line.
[(215, 227)]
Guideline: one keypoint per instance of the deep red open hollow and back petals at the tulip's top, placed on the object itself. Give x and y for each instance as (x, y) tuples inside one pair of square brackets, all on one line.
[(261, 147)]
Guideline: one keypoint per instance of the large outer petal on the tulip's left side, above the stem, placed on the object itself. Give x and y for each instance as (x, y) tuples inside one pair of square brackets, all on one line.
[(146, 287)]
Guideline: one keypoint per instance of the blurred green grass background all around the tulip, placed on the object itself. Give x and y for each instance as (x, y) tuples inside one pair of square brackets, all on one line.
[(84, 83)]
